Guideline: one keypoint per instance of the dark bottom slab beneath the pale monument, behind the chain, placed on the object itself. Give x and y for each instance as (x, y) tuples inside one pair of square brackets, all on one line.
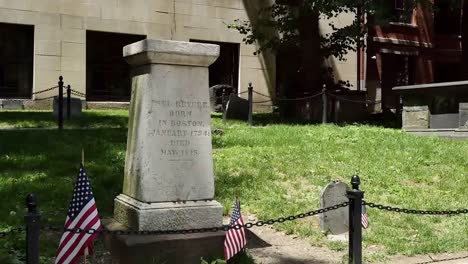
[(181, 248)]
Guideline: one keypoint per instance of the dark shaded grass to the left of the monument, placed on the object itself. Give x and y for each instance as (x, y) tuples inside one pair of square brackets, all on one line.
[(46, 162)]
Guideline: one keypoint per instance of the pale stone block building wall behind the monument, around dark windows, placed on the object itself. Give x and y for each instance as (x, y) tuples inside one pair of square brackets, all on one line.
[(60, 32)]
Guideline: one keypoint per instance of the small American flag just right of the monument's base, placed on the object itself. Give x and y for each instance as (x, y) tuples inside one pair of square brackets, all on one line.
[(235, 238)]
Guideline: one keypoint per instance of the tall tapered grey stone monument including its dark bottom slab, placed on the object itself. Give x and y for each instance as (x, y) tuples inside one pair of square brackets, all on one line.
[(168, 181)]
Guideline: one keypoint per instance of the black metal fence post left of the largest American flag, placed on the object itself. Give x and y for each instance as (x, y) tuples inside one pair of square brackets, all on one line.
[(32, 230)]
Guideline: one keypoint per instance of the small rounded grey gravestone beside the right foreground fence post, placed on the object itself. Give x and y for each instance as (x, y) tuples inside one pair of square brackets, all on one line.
[(335, 222)]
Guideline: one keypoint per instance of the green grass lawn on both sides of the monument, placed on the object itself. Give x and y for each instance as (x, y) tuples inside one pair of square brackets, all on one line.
[(278, 170)]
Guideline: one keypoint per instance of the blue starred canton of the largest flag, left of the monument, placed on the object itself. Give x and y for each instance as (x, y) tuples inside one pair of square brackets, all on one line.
[(82, 194)]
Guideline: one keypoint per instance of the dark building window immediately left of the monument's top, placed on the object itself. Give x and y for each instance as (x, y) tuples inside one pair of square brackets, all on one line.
[(107, 72)]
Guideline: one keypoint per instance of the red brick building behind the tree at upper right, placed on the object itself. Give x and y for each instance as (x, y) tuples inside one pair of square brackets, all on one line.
[(417, 47)]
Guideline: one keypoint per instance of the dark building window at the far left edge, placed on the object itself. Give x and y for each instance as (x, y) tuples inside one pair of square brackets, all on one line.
[(16, 63)]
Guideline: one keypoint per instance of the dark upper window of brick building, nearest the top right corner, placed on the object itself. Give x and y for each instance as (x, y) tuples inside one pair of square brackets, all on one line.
[(447, 18)]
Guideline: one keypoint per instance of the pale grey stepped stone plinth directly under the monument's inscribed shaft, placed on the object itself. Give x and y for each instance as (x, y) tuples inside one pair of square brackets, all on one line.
[(168, 215)]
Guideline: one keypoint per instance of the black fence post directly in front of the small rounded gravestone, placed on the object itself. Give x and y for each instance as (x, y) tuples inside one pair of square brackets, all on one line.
[(355, 197)]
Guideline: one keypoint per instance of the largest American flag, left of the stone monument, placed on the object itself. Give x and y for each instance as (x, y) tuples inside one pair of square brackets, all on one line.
[(83, 214)]
